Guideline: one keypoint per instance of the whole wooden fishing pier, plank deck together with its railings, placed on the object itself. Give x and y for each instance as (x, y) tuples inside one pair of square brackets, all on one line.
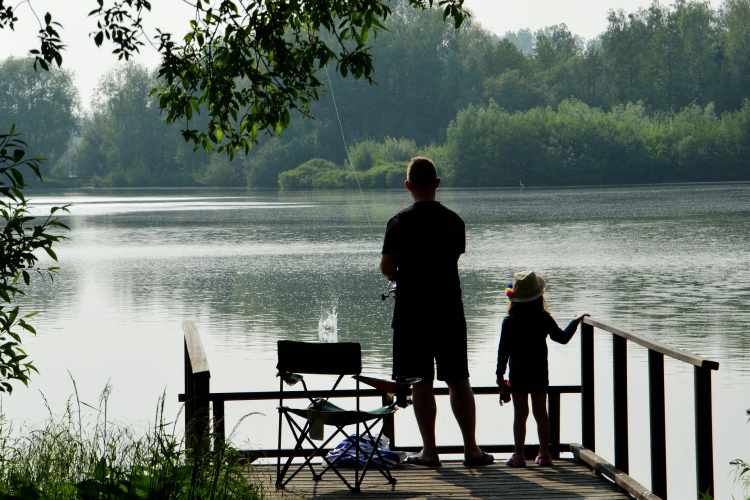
[(586, 476)]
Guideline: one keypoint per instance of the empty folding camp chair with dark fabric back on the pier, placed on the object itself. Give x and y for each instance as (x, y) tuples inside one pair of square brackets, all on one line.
[(295, 358)]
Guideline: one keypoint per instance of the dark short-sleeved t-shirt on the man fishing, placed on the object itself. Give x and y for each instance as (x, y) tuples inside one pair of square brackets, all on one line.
[(428, 238)]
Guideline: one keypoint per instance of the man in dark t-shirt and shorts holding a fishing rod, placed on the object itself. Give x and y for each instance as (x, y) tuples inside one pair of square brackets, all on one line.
[(421, 250)]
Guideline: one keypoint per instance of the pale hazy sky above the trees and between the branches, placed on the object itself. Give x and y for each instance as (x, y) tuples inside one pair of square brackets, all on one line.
[(586, 18)]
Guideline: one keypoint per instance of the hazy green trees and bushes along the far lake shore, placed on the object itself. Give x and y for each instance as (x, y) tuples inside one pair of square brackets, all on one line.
[(656, 97)]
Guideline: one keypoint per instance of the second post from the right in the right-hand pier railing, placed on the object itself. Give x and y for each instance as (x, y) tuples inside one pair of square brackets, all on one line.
[(658, 422)]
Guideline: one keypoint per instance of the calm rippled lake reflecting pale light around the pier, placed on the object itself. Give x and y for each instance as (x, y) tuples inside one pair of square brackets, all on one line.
[(253, 267)]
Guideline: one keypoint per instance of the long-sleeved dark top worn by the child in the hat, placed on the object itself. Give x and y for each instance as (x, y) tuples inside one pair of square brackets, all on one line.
[(523, 343)]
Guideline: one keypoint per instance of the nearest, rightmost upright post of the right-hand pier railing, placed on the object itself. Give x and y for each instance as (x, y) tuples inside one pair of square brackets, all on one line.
[(704, 446)]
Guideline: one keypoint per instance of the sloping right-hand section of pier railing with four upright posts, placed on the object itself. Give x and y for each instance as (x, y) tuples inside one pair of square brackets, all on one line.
[(657, 412)]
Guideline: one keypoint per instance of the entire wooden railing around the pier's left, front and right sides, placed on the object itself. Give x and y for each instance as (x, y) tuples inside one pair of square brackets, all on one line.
[(199, 400)]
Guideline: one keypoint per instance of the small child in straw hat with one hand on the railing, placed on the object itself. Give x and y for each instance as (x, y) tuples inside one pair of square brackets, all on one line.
[(523, 341)]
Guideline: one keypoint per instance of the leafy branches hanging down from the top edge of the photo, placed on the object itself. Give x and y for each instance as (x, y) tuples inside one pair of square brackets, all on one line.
[(275, 47)]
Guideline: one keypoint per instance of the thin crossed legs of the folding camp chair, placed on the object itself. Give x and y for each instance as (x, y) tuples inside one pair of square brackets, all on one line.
[(301, 435)]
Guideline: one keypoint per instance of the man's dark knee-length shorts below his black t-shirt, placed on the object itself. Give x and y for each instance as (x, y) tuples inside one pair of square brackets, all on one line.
[(417, 350)]
